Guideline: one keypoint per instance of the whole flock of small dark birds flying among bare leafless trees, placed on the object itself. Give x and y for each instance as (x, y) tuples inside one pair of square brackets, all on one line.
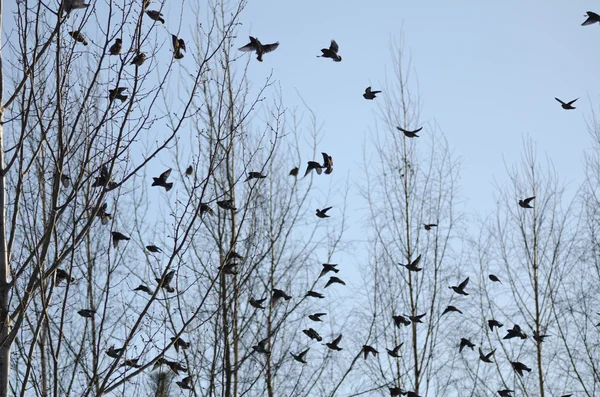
[(232, 259)]
